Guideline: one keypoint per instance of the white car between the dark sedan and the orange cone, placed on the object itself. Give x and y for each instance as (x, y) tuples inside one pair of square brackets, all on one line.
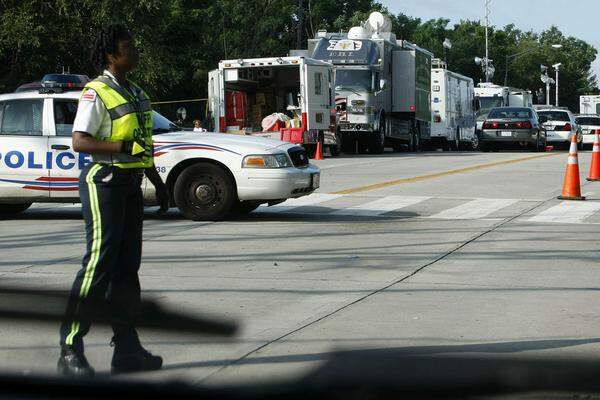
[(560, 125)]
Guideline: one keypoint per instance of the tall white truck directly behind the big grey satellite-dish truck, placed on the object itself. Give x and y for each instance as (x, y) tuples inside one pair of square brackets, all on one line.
[(452, 109)]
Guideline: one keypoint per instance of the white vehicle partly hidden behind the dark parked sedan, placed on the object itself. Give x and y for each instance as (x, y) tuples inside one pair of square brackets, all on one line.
[(490, 95)]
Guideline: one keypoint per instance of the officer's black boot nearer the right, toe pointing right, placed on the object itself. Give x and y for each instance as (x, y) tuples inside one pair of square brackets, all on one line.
[(133, 358)]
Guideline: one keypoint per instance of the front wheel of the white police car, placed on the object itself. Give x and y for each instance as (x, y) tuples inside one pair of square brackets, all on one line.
[(204, 192)]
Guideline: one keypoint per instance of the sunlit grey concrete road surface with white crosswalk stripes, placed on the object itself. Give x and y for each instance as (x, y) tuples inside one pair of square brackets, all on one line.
[(431, 253)]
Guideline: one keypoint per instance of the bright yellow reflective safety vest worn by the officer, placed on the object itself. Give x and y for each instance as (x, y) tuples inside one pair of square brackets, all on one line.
[(130, 117)]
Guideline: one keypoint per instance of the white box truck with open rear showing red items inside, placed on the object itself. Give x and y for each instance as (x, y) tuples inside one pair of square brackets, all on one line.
[(242, 92)]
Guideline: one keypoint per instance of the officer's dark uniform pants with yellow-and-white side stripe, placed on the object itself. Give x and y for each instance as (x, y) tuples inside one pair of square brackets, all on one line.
[(112, 206)]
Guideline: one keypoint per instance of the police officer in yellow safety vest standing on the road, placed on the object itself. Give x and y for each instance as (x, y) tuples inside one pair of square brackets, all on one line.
[(114, 125)]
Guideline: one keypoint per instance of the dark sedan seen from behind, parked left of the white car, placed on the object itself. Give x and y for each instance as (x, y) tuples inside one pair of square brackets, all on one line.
[(512, 125)]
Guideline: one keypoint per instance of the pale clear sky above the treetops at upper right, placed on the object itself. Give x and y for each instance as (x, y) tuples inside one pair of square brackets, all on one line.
[(578, 18)]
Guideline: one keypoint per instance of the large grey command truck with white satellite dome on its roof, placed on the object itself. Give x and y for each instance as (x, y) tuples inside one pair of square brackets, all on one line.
[(382, 86)]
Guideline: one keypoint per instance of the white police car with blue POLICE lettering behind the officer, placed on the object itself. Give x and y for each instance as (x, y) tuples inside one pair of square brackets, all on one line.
[(210, 176)]
